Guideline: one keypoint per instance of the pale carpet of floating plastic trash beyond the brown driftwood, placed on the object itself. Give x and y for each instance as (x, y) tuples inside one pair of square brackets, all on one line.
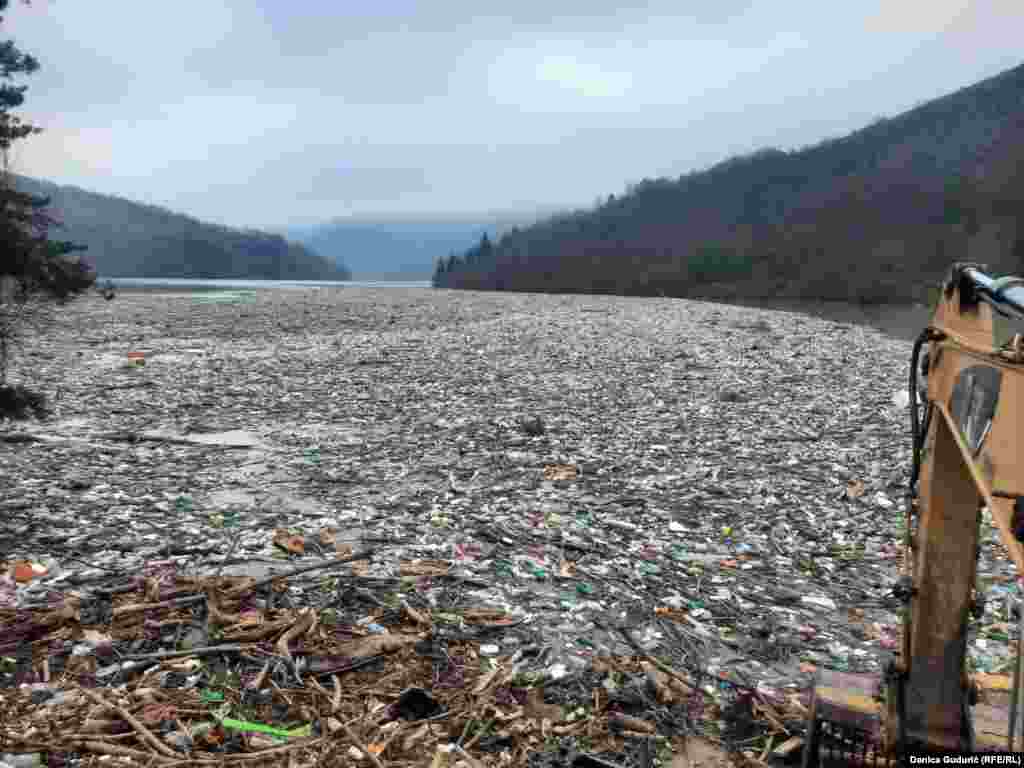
[(691, 502)]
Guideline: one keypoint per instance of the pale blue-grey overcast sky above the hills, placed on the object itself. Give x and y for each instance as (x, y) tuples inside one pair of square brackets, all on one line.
[(273, 114)]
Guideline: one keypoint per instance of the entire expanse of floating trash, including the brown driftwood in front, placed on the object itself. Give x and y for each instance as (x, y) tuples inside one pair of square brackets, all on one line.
[(418, 528)]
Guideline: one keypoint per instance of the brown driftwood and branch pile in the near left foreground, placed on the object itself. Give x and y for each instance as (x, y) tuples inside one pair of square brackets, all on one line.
[(164, 668)]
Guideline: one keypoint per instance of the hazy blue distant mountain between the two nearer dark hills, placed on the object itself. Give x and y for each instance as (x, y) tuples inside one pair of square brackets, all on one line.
[(400, 248)]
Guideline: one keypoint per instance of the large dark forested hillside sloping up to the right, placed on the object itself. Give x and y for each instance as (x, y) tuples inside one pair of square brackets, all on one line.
[(875, 217)]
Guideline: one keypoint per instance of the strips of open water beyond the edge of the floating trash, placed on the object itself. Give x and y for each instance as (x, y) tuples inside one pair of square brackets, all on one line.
[(899, 321)]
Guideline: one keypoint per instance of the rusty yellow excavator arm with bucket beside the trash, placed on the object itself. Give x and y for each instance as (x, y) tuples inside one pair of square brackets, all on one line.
[(967, 405)]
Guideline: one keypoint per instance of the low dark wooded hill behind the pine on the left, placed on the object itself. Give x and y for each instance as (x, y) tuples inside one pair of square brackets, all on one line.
[(133, 240)]
